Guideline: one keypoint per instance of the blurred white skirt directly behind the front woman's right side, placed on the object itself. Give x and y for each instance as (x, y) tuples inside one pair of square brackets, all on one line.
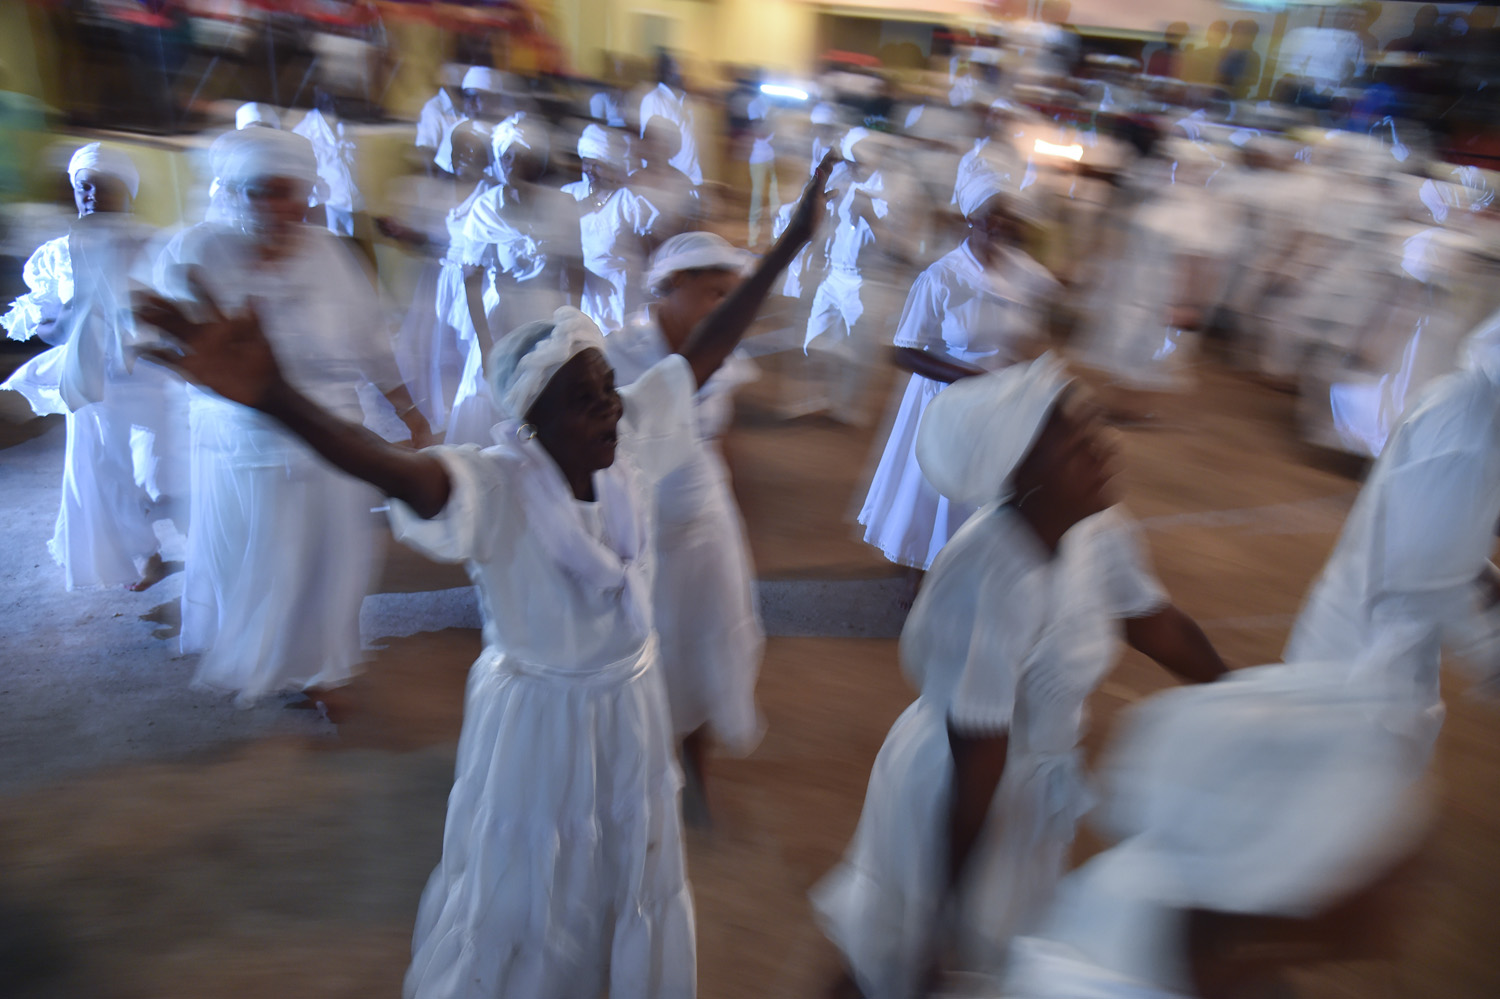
[(706, 607)]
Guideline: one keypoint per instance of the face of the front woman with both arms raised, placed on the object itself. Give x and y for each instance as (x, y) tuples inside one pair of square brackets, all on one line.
[(578, 419)]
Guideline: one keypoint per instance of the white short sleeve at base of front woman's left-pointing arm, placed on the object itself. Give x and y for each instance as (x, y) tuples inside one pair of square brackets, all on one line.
[(481, 502)]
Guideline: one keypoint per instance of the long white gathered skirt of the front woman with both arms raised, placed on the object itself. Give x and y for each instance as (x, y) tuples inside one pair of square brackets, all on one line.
[(562, 872)]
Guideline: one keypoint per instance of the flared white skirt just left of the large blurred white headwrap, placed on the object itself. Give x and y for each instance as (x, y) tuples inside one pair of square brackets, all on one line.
[(904, 515)]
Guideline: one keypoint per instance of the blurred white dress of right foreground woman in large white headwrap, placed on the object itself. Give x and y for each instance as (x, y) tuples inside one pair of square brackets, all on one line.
[(1001, 640)]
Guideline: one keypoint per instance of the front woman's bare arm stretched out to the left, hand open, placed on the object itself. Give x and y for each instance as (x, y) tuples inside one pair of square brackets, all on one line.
[(232, 358)]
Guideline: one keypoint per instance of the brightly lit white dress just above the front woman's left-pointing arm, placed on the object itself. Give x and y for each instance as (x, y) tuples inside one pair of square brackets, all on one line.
[(436, 347)]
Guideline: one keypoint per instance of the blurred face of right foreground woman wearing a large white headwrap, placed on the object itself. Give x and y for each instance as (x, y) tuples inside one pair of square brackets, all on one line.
[(1069, 473)]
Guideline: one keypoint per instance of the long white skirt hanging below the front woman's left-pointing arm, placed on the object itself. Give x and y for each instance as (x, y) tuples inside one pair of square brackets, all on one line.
[(280, 557)]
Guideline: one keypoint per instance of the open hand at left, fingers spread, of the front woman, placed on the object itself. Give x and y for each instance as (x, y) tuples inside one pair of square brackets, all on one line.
[(226, 355)]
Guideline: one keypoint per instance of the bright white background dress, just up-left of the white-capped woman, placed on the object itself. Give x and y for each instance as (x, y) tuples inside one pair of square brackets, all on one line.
[(610, 236)]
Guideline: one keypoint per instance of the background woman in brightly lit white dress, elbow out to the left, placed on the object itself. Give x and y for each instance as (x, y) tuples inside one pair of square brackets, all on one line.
[(443, 343)]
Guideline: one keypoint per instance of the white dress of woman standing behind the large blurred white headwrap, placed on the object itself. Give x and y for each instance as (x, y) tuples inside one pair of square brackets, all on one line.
[(961, 311)]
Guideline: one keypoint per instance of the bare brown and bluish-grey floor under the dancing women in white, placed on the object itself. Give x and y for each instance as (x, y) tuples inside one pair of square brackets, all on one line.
[(157, 842)]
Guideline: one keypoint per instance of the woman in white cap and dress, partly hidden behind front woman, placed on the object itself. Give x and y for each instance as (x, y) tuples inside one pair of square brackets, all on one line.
[(704, 596)]
